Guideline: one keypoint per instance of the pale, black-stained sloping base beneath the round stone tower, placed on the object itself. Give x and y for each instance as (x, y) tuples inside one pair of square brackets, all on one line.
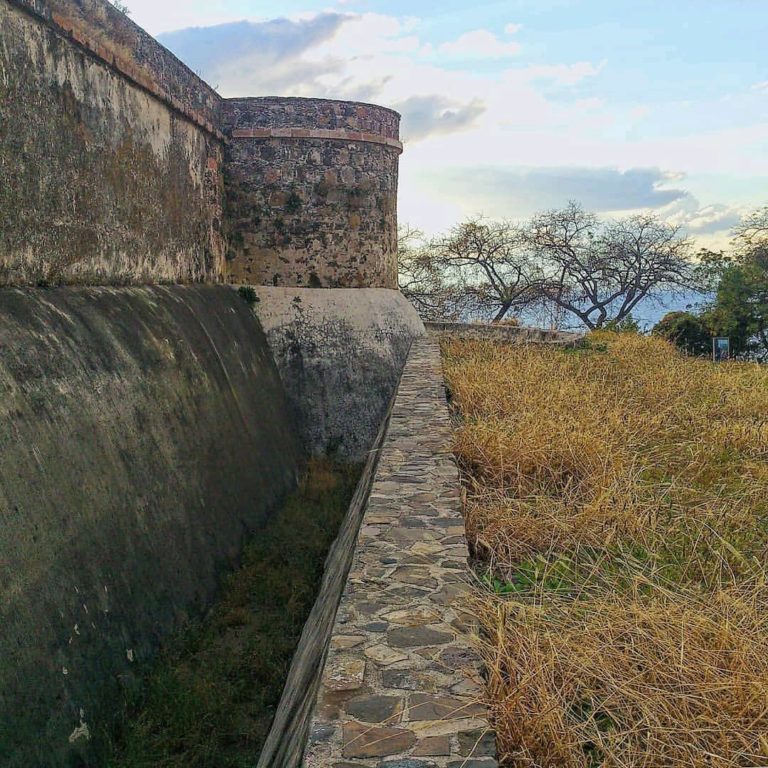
[(340, 353)]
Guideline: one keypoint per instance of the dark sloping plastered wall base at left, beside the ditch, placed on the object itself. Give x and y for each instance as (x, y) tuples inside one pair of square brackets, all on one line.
[(144, 432)]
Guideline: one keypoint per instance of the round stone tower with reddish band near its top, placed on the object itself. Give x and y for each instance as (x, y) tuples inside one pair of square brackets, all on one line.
[(312, 193)]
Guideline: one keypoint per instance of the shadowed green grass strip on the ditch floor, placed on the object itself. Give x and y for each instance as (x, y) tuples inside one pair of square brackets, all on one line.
[(211, 697)]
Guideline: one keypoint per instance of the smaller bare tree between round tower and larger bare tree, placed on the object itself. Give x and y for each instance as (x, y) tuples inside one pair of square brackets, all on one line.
[(493, 260)]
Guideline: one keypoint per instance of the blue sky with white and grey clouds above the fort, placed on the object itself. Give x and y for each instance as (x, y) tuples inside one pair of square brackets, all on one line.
[(514, 106)]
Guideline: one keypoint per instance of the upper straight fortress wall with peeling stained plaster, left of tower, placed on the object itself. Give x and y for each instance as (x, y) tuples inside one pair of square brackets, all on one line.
[(102, 181)]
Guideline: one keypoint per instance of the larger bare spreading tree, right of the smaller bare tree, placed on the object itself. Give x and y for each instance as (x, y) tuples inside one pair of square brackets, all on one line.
[(599, 272)]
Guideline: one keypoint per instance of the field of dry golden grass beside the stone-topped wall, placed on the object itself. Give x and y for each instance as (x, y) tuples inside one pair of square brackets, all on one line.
[(618, 500)]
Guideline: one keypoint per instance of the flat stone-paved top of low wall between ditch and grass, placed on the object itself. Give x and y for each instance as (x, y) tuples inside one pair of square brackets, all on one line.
[(401, 686)]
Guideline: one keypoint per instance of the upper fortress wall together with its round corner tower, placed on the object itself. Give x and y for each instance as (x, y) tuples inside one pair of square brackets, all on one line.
[(119, 165)]
